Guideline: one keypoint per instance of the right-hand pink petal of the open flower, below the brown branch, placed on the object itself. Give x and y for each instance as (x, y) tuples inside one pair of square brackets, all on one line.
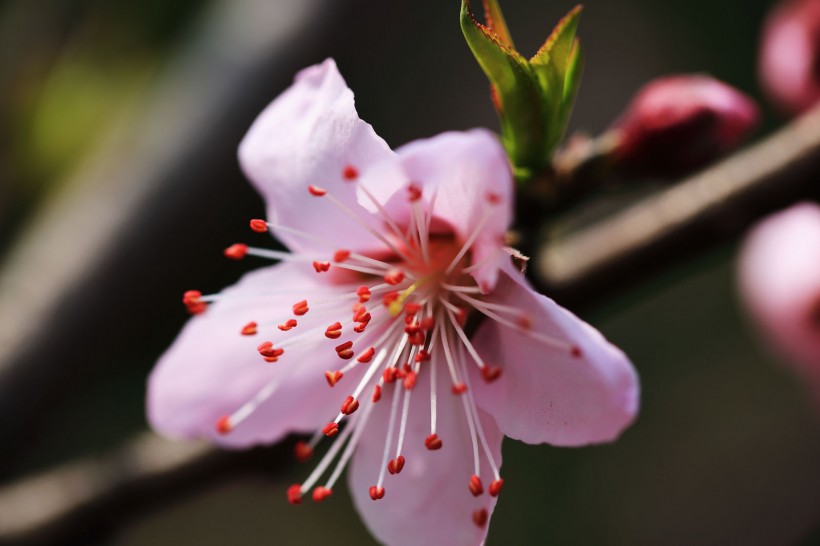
[(545, 394)]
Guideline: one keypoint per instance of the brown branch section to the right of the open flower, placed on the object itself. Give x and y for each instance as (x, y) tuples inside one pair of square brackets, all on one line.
[(712, 205)]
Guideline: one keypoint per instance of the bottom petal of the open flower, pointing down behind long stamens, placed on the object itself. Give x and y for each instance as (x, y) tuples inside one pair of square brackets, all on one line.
[(429, 501)]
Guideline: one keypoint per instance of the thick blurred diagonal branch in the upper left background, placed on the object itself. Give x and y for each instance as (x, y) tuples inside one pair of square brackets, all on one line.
[(74, 265)]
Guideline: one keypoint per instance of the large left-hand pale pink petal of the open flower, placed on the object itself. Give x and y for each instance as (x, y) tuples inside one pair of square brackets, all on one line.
[(211, 369)]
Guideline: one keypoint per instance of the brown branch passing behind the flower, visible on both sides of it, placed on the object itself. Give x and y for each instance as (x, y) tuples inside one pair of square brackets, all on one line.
[(716, 203)]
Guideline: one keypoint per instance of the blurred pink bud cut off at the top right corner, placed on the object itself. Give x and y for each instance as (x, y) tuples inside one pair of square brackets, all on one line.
[(790, 55)]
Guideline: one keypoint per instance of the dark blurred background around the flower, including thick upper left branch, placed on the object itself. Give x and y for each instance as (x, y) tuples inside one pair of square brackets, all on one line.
[(119, 189)]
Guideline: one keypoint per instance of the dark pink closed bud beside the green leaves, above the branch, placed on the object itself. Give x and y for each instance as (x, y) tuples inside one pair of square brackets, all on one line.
[(678, 123)]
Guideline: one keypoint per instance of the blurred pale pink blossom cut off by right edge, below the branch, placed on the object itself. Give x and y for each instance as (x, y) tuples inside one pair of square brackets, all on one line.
[(780, 283)]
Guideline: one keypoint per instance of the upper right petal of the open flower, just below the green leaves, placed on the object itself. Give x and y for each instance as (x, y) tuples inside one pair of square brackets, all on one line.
[(466, 181)]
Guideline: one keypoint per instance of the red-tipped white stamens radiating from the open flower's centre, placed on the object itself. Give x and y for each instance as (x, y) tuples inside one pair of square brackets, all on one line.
[(397, 327)]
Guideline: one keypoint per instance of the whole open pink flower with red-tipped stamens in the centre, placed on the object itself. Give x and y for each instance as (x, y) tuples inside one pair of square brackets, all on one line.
[(397, 325)]
